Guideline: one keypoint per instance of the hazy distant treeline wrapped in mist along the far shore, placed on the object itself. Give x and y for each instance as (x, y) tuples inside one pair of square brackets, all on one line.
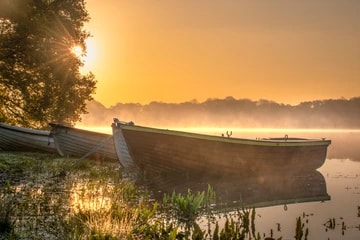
[(331, 113)]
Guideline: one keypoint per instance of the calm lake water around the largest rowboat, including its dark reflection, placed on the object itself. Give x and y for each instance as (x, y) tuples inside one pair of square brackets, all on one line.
[(330, 193)]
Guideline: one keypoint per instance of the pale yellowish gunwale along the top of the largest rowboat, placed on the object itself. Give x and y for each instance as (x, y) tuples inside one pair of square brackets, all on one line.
[(288, 142)]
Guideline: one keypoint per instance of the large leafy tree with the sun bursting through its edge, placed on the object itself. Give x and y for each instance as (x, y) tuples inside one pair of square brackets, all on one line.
[(40, 79)]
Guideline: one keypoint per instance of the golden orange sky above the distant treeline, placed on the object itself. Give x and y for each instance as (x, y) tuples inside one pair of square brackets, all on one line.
[(180, 50)]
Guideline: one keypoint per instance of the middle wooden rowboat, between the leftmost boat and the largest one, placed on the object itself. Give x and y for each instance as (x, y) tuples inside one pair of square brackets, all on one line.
[(75, 142)]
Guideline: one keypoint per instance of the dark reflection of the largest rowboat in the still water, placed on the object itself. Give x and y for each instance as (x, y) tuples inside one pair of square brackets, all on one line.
[(279, 188)]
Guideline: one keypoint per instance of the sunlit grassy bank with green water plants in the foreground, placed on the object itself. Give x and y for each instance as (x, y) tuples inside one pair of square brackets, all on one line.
[(47, 197)]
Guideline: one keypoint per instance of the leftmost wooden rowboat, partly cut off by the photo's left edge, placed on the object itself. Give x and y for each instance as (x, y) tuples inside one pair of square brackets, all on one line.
[(14, 138)]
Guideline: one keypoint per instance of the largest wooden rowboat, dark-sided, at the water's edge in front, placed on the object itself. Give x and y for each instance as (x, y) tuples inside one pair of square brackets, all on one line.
[(163, 150)]
